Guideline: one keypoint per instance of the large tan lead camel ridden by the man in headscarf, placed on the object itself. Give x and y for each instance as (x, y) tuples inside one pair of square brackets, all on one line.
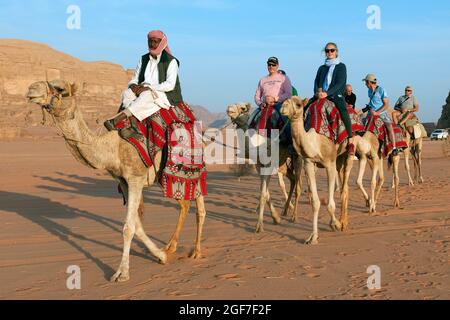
[(120, 159)]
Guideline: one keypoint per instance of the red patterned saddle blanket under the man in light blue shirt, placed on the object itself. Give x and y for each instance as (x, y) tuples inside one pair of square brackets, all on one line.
[(375, 125)]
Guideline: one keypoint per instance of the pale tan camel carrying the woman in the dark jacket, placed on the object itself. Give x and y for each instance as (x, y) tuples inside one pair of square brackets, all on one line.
[(318, 149)]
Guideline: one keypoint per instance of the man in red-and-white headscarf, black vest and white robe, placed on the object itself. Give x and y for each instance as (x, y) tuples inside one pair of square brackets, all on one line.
[(156, 72)]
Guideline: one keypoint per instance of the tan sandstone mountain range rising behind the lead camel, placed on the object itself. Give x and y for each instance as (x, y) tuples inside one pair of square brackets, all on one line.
[(100, 84)]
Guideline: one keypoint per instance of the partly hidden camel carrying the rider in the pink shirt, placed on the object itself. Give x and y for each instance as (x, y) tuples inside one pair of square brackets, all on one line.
[(239, 114)]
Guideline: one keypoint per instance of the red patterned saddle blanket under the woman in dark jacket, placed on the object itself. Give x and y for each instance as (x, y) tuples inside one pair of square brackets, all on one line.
[(324, 117)]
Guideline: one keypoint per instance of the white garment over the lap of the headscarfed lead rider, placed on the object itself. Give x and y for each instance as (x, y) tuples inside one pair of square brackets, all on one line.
[(146, 104)]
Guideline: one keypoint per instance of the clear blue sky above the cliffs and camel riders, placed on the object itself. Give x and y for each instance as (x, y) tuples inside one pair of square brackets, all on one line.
[(223, 45)]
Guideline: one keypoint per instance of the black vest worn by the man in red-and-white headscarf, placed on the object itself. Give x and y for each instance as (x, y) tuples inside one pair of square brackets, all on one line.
[(173, 96)]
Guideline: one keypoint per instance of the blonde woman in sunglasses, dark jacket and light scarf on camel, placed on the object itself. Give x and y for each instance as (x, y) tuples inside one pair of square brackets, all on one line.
[(330, 82)]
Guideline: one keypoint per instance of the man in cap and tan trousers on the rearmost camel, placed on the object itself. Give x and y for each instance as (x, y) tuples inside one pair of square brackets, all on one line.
[(405, 108)]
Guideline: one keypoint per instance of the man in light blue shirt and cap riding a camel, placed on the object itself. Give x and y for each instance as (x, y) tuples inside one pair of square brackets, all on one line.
[(378, 105)]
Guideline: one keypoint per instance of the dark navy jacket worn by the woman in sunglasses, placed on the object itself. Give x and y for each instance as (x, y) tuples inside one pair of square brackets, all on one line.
[(338, 81)]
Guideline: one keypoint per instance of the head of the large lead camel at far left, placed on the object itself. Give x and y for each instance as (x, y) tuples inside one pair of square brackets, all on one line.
[(49, 94)]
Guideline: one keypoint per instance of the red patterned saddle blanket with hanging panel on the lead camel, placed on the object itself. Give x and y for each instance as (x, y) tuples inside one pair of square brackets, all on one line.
[(184, 173)]
